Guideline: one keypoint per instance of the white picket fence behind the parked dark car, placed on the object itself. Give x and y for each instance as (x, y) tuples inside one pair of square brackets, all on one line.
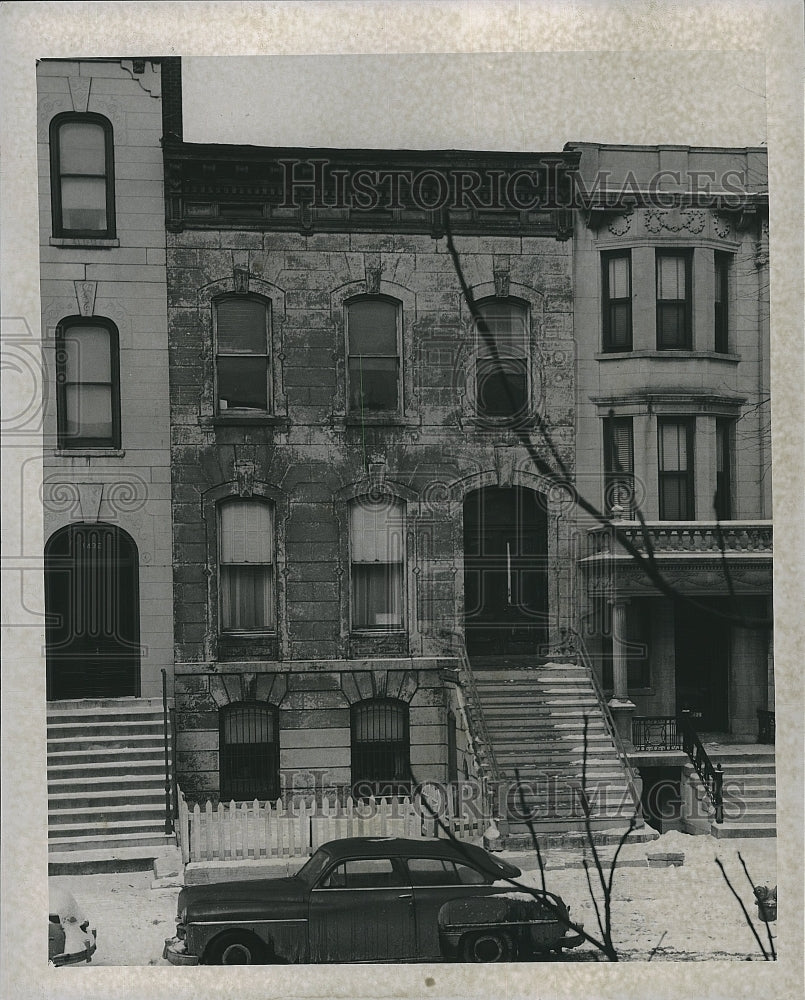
[(242, 830)]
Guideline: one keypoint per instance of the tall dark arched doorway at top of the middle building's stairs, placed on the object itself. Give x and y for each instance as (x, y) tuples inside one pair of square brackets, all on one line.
[(505, 572)]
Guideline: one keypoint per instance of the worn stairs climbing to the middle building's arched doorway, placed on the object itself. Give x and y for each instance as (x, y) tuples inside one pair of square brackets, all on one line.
[(535, 715)]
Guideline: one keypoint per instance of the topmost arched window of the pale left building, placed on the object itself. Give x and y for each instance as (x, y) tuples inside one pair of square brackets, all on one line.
[(82, 176)]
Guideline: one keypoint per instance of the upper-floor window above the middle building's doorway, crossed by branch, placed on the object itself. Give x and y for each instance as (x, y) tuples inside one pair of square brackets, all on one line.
[(501, 359)]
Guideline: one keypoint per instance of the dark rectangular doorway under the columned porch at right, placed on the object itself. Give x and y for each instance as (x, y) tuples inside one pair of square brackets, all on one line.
[(702, 664)]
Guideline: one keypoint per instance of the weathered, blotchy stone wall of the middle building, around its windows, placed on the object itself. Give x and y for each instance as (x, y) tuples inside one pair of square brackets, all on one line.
[(310, 457)]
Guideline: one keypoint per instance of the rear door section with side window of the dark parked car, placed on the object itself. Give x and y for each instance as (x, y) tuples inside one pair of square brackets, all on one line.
[(435, 881)]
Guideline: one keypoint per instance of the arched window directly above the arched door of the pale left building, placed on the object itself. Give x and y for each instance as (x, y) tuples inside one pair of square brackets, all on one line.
[(87, 383)]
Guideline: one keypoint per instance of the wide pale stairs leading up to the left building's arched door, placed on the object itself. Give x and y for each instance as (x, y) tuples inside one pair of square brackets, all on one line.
[(106, 782)]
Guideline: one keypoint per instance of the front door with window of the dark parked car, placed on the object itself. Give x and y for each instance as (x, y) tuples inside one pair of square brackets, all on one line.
[(362, 910)]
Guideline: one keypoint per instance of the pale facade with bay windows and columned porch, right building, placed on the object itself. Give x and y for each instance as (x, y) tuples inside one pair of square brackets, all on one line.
[(674, 419)]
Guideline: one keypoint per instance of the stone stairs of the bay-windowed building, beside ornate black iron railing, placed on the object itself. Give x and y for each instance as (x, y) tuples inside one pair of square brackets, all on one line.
[(750, 792)]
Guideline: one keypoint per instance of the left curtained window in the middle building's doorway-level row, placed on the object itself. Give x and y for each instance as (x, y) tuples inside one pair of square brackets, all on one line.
[(246, 566)]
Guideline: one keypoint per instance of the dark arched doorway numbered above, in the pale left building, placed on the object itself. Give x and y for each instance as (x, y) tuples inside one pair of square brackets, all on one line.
[(92, 608)]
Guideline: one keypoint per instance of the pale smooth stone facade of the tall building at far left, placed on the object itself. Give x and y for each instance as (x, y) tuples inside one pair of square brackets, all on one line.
[(106, 489)]
